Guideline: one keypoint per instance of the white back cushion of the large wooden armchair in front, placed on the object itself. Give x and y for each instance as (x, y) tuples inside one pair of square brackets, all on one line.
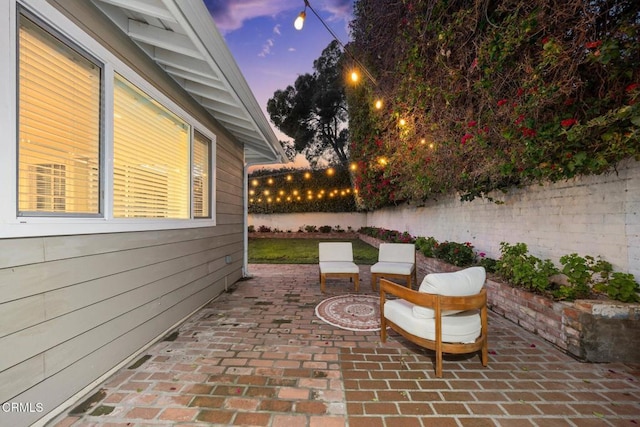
[(456, 284)]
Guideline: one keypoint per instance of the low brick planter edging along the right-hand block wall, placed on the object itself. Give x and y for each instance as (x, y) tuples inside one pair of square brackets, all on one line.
[(590, 330)]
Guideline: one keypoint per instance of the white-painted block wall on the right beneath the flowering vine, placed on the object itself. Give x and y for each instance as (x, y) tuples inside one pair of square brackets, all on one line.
[(595, 215)]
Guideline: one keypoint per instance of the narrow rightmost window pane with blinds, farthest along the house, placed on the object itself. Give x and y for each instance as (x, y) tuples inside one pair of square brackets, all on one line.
[(201, 167)]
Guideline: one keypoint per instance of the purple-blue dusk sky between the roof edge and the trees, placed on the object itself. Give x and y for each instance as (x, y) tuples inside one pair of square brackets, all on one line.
[(270, 52)]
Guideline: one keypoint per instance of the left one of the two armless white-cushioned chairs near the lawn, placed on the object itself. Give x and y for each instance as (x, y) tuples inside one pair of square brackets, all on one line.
[(336, 260)]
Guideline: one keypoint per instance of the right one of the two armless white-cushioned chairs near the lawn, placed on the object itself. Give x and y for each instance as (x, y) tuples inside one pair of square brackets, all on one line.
[(397, 261)]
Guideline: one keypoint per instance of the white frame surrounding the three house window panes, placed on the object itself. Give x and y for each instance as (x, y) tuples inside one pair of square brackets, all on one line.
[(12, 225)]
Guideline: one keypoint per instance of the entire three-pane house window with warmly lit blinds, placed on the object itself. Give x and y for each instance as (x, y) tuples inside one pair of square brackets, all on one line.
[(162, 167)]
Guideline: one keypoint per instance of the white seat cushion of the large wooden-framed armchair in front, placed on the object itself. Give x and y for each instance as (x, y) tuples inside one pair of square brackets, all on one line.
[(463, 327)]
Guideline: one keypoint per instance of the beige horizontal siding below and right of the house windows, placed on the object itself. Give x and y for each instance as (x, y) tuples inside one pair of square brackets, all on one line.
[(74, 307)]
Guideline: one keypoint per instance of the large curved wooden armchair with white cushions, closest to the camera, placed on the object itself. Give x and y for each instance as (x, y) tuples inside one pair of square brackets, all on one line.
[(448, 314)]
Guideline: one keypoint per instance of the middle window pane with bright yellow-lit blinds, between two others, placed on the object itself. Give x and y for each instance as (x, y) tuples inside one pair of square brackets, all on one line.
[(151, 154)]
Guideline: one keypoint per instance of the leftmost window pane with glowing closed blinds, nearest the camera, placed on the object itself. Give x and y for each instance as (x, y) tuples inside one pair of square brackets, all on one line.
[(59, 126)]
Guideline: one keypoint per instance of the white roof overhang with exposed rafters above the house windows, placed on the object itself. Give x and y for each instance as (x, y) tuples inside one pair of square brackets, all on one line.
[(181, 37)]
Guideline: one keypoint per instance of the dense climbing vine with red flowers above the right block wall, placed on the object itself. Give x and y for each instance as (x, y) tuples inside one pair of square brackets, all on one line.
[(485, 95)]
